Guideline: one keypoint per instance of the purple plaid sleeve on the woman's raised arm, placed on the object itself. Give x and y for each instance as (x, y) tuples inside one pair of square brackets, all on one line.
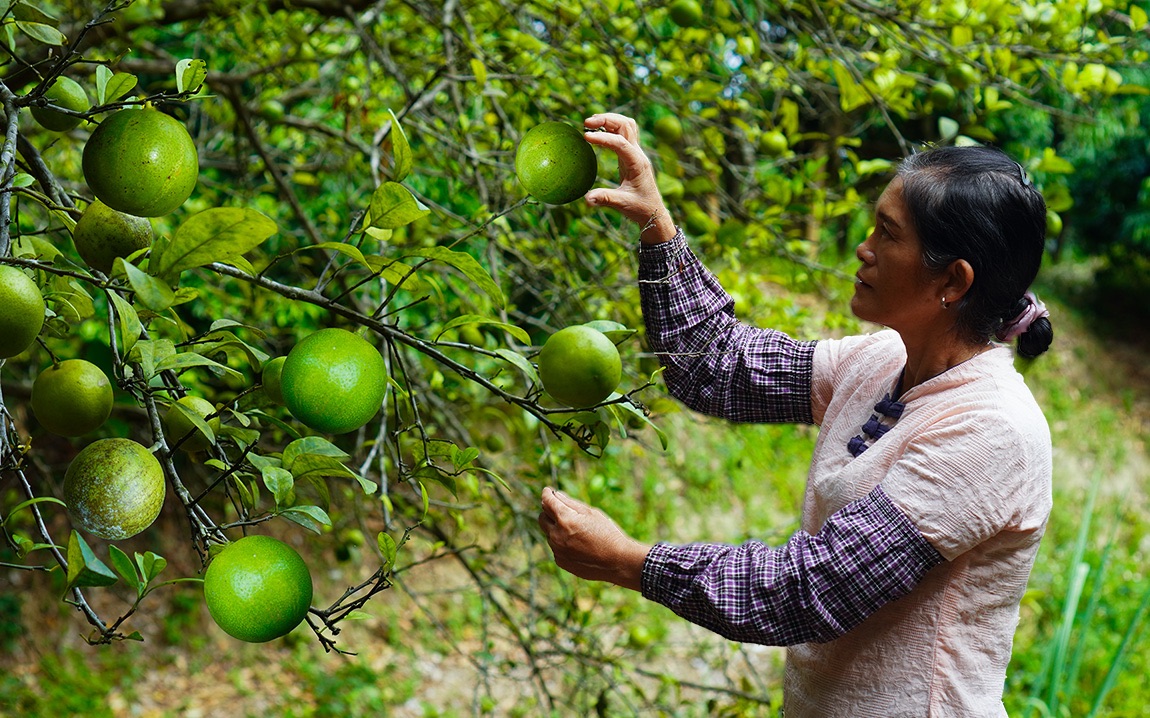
[(715, 364)]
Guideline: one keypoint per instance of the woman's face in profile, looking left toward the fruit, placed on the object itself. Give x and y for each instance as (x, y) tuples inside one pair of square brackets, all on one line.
[(893, 287)]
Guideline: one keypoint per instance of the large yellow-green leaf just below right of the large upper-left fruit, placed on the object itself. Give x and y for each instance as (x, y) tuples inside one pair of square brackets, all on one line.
[(221, 234)]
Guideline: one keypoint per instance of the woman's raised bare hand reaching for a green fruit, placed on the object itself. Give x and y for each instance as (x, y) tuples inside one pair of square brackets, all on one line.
[(638, 196)]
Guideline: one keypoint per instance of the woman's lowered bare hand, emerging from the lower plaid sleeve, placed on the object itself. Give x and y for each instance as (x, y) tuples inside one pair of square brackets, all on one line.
[(588, 544)]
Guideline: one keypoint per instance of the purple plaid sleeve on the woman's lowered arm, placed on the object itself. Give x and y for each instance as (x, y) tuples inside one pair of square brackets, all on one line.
[(812, 590)]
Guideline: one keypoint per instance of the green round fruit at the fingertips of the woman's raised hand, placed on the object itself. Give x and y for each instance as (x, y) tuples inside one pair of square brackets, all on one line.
[(556, 164)]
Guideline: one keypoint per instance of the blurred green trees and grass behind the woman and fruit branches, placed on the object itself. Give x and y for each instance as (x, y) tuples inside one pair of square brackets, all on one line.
[(789, 118)]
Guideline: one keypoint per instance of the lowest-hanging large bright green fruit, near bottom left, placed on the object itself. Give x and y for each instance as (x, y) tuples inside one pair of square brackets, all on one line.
[(258, 590)]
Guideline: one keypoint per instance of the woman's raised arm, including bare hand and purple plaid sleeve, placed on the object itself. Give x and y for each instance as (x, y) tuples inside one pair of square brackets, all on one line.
[(715, 364)]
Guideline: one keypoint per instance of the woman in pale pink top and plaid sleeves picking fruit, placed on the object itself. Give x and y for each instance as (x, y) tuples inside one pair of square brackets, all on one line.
[(930, 486)]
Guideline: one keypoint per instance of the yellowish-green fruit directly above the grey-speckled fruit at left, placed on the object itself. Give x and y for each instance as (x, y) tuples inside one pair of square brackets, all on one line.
[(72, 399)]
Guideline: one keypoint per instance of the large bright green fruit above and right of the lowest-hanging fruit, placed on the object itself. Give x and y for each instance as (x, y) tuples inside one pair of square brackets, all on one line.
[(334, 381)]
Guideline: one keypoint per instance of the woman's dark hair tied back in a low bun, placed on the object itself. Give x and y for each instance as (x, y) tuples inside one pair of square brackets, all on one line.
[(976, 203)]
